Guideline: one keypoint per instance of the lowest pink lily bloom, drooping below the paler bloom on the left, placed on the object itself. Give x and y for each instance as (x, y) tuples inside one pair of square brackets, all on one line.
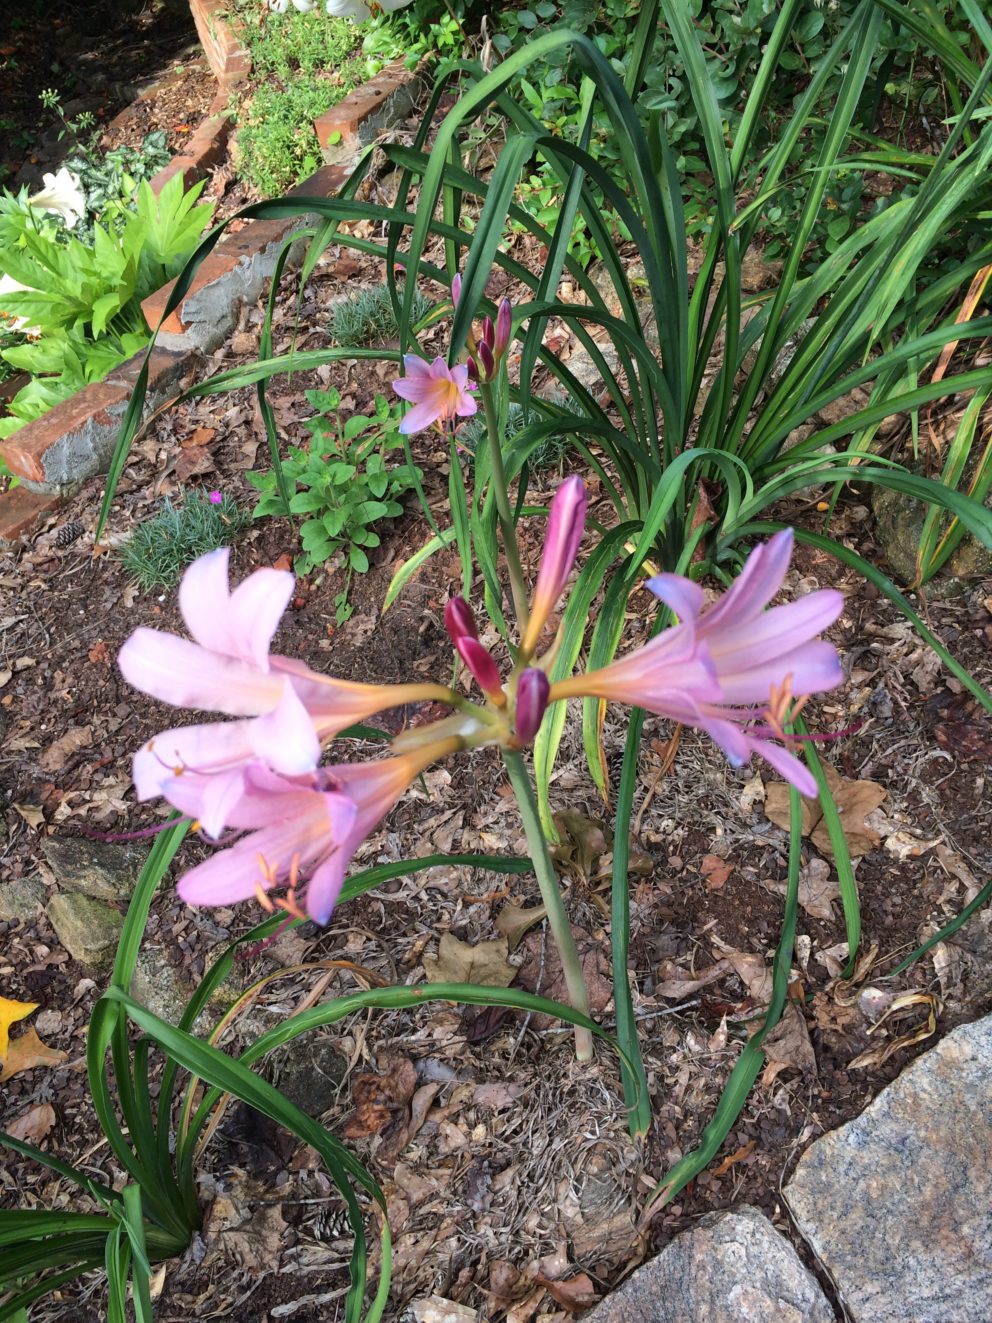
[(301, 832)]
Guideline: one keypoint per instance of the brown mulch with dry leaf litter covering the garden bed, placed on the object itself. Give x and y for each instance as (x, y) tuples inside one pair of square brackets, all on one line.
[(518, 1165)]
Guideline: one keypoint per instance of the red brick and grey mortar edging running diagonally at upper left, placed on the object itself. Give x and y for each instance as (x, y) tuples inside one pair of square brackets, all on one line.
[(75, 441)]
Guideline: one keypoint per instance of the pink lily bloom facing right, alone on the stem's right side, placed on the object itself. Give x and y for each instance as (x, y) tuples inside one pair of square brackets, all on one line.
[(731, 670)]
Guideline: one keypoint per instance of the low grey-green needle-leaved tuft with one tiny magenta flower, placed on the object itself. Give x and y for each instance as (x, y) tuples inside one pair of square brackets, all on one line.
[(161, 550)]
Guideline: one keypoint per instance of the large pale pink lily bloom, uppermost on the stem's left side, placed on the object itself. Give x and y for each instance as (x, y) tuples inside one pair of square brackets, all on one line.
[(228, 669)]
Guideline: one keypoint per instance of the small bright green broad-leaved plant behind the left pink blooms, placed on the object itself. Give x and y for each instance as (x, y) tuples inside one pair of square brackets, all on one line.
[(342, 484)]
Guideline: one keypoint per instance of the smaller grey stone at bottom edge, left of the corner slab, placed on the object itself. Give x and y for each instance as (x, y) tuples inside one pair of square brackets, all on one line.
[(732, 1268)]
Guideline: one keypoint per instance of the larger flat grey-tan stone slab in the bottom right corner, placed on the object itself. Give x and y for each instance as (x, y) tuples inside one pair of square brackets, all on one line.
[(899, 1203)]
